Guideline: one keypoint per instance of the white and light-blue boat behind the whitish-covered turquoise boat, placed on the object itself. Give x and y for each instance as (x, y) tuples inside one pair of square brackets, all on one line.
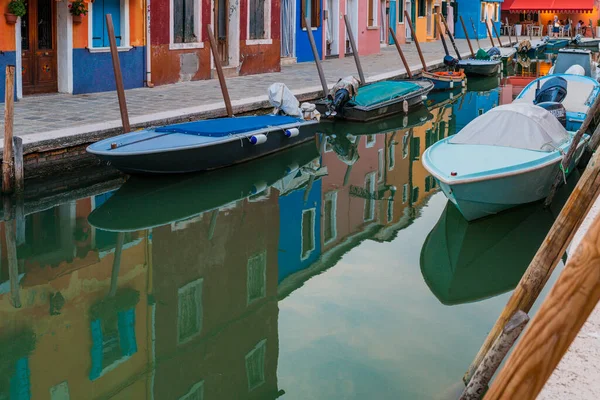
[(581, 92)]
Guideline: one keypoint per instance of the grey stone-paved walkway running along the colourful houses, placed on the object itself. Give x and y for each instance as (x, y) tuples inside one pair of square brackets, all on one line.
[(38, 114)]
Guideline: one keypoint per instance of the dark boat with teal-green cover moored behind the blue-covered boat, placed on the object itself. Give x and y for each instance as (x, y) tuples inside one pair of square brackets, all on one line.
[(381, 99)]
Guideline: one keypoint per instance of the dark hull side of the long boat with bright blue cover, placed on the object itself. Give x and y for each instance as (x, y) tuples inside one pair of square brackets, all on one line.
[(206, 158)]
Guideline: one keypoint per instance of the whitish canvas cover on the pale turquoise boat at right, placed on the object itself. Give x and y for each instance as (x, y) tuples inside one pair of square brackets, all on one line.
[(518, 125)]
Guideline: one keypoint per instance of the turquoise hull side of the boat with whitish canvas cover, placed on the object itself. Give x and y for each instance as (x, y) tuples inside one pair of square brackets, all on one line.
[(482, 198)]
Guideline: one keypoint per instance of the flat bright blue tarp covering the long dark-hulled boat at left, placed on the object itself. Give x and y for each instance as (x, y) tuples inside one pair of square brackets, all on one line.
[(229, 126)]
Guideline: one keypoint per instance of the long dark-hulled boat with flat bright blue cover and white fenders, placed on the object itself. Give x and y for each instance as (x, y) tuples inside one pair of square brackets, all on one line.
[(202, 145)]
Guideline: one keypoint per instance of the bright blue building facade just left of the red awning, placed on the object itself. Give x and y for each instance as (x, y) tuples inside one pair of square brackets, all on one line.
[(476, 13)]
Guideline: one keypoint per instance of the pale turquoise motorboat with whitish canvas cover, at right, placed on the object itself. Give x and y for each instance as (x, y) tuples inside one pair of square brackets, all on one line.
[(507, 157)]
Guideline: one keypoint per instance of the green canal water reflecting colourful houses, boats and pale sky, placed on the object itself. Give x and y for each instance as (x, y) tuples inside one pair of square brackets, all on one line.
[(335, 270)]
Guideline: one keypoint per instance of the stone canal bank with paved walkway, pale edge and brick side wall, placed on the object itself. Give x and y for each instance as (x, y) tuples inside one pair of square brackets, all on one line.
[(57, 128)]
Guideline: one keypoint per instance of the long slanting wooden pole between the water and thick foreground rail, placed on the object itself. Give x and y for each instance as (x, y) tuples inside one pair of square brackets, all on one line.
[(548, 255)]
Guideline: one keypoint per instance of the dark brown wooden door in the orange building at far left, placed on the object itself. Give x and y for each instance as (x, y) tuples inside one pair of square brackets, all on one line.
[(38, 45)]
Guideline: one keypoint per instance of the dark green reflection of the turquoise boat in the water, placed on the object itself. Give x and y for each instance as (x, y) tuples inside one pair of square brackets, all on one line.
[(464, 262)]
